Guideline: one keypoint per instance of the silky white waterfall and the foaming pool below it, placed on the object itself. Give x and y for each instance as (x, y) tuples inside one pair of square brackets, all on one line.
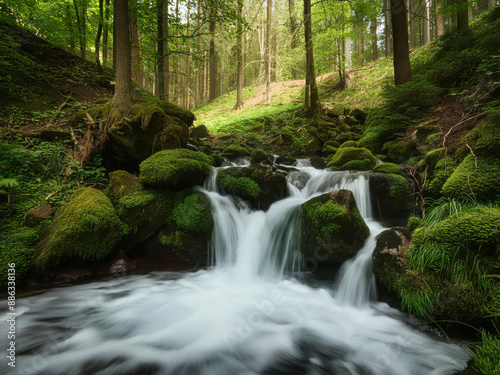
[(247, 315)]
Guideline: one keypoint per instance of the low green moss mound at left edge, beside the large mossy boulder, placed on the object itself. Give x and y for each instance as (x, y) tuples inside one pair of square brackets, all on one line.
[(18, 248)]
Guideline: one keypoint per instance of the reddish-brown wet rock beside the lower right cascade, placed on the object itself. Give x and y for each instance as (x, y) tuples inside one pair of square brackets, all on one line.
[(389, 256)]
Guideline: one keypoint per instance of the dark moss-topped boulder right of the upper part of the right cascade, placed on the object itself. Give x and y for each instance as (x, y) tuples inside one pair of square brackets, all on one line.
[(391, 198)]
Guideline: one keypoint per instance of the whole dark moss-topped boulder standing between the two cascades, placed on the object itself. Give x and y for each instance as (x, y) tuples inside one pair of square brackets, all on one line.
[(332, 228)]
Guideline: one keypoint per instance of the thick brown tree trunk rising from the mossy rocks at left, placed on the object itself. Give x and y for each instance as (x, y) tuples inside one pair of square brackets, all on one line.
[(123, 87)]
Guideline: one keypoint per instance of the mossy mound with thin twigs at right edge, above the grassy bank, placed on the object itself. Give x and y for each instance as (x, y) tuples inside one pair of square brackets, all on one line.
[(481, 184)]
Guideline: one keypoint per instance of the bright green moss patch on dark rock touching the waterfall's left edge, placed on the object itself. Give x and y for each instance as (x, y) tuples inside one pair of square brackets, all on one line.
[(192, 212)]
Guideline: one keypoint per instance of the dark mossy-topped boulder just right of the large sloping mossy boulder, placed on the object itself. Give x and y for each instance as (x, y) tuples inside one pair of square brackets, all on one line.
[(144, 211)]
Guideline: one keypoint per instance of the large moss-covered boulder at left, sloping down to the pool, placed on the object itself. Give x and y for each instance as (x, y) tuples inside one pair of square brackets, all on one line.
[(85, 230)]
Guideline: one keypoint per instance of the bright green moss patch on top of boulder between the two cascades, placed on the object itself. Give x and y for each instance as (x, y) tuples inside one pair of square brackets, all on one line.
[(324, 216)]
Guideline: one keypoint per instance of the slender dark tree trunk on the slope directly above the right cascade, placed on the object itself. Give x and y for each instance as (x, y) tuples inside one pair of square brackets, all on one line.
[(311, 97)]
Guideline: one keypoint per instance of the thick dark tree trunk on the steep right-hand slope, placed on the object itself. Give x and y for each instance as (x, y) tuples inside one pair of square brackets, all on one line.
[(402, 68)]
